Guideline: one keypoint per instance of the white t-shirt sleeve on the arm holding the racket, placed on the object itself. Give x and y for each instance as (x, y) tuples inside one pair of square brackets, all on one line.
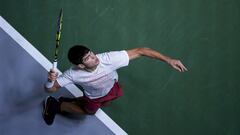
[(65, 79)]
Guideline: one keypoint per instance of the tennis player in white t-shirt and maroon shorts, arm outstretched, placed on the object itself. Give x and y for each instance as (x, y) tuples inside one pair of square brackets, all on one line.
[(98, 77)]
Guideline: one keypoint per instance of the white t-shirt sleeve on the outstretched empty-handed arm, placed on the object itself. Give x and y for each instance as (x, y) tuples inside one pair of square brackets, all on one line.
[(116, 59)]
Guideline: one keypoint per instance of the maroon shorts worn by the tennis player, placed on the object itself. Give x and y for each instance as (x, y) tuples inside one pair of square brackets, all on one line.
[(92, 105)]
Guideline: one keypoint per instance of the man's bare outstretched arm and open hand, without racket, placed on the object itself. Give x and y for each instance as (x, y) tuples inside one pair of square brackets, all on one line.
[(137, 52)]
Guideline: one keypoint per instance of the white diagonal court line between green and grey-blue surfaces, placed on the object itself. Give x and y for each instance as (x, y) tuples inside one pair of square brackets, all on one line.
[(43, 61)]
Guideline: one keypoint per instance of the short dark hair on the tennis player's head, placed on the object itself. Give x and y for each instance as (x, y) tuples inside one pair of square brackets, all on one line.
[(76, 54)]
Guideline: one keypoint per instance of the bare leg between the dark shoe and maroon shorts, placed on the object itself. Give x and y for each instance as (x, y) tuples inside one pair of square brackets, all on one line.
[(71, 107)]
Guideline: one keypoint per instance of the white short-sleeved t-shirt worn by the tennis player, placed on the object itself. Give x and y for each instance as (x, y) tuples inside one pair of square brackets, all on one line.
[(98, 83)]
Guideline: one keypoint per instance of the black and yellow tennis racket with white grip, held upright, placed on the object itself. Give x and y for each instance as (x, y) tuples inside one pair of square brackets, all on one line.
[(58, 36)]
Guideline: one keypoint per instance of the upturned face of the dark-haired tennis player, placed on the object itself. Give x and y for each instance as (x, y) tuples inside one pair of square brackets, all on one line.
[(90, 60)]
